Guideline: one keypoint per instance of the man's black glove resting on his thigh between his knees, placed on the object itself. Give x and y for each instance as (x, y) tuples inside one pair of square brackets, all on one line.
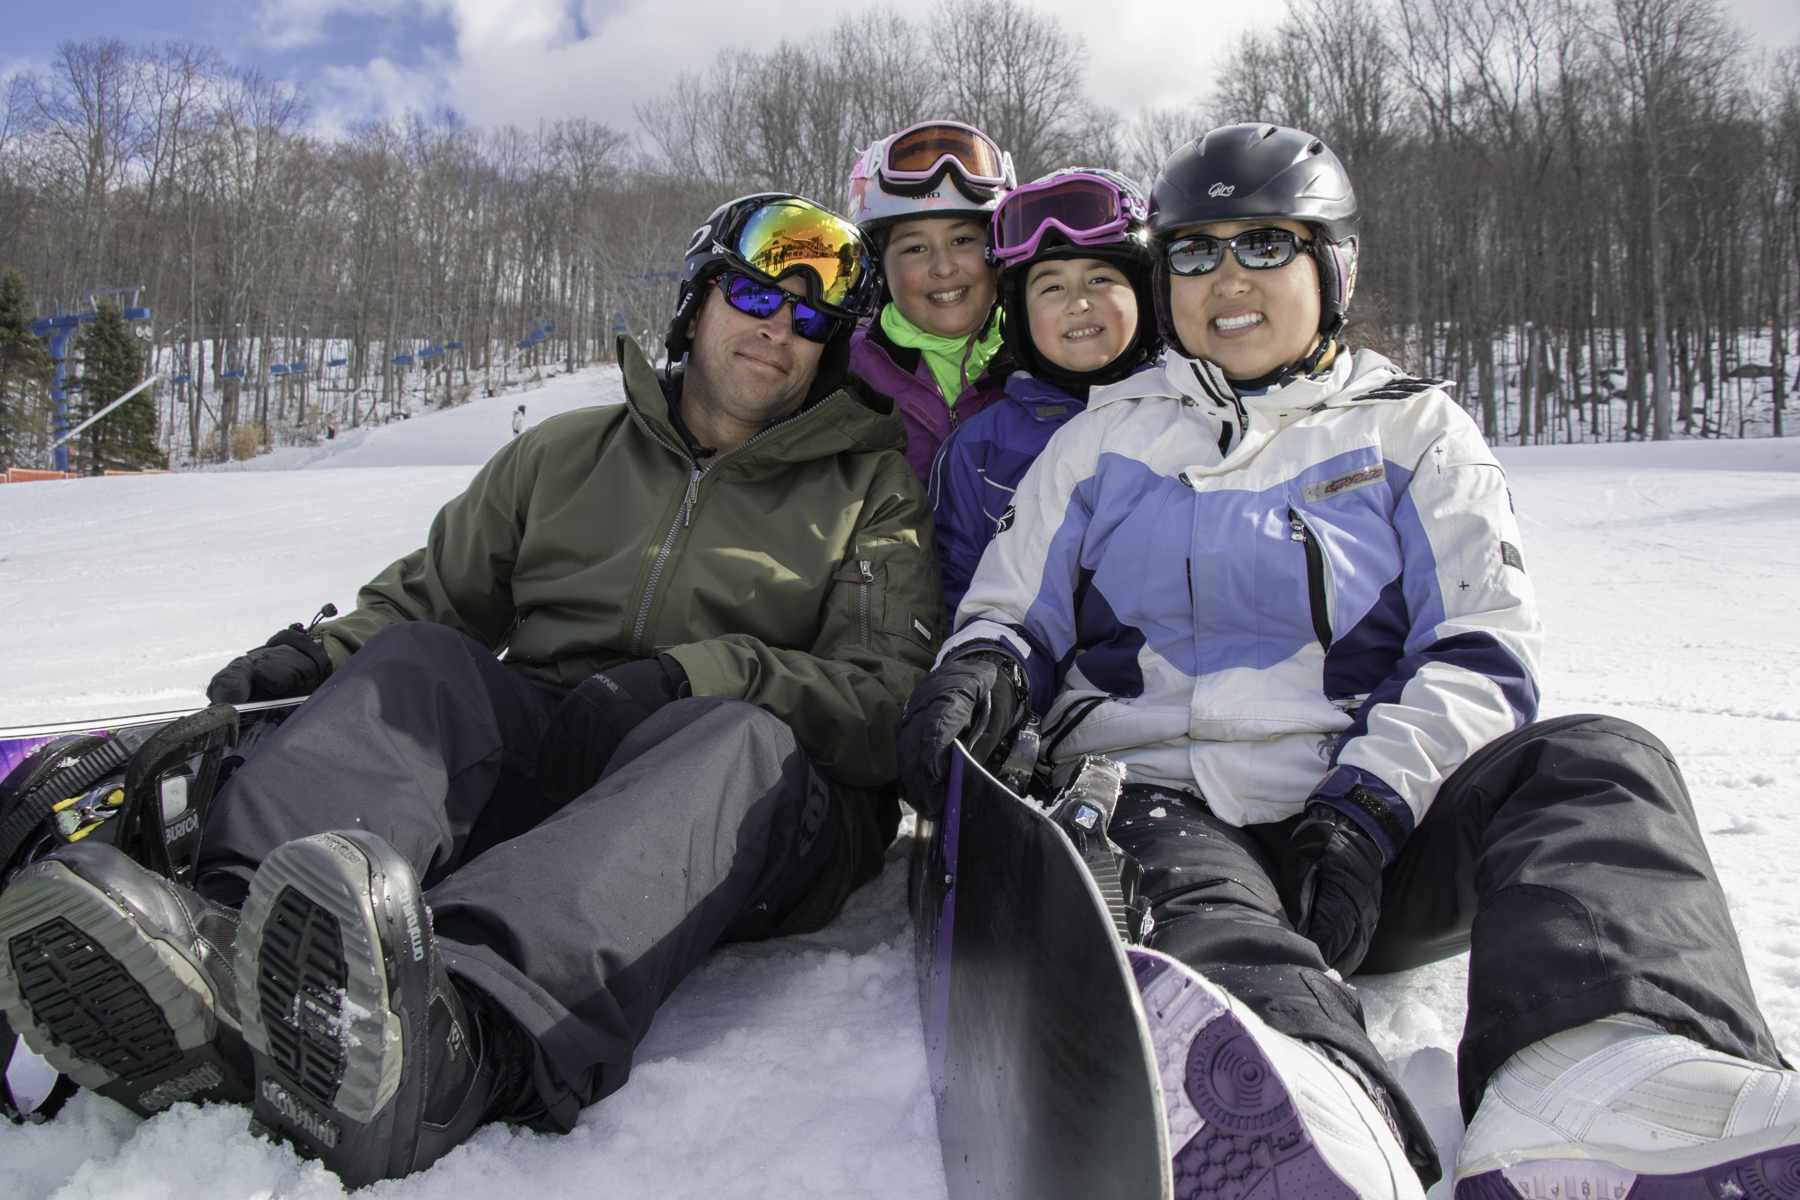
[(595, 719)]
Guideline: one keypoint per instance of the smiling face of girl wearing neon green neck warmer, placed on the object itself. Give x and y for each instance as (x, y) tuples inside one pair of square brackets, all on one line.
[(939, 274)]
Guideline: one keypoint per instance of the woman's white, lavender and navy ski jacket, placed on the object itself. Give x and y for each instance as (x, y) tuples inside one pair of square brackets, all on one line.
[(1313, 593)]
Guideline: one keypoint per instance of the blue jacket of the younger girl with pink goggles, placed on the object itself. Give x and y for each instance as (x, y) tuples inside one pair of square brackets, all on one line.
[(982, 461)]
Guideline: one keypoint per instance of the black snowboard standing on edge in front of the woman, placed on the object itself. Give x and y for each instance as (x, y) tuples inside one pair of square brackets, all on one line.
[(1039, 1053)]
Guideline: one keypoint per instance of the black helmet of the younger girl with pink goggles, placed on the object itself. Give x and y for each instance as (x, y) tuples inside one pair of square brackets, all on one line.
[(1129, 253)]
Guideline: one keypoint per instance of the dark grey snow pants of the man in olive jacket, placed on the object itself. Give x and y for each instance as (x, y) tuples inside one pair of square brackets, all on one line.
[(710, 825)]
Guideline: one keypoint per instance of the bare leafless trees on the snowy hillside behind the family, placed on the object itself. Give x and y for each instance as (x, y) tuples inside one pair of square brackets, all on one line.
[(1587, 213)]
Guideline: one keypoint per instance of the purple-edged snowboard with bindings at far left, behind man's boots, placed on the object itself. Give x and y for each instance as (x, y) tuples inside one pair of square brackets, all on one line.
[(75, 780)]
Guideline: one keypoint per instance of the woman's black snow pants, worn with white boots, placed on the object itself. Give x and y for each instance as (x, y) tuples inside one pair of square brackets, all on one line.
[(1565, 857)]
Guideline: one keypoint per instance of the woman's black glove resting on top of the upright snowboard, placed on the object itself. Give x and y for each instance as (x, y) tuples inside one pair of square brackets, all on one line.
[(978, 699)]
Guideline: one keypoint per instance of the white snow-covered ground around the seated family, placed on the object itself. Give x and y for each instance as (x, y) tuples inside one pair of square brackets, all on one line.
[(795, 1070)]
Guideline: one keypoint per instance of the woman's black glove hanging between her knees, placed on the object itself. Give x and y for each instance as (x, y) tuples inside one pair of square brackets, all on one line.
[(1331, 884)]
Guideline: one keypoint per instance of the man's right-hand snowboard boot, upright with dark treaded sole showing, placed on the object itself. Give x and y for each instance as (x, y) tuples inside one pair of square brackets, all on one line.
[(366, 1055)]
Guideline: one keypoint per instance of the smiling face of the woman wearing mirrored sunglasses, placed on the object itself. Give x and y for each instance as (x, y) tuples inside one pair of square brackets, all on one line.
[(1248, 323)]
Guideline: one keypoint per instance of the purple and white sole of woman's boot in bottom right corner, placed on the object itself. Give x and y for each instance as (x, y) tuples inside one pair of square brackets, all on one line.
[(1768, 1176)]
